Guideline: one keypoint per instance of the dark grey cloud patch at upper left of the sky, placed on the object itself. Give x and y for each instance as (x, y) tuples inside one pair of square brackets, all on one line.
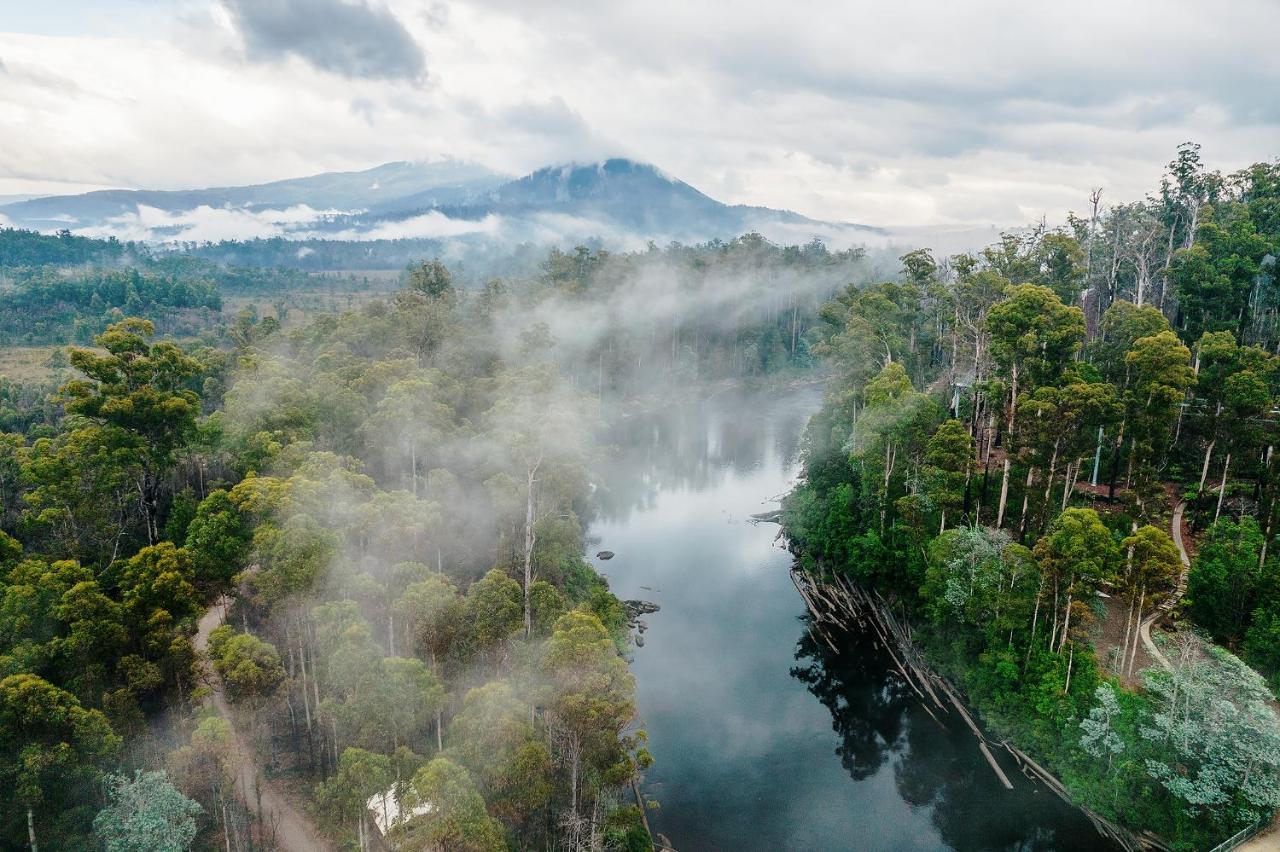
[(349, 38)]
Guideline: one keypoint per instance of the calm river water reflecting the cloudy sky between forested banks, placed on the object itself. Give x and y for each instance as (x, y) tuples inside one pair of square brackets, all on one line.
[(764, 740)]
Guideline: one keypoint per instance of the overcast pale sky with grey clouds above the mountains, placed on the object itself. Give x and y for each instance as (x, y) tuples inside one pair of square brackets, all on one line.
[(881, 113)]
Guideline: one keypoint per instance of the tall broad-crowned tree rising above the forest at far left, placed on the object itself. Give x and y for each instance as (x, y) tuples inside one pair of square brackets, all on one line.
[(140, 390)]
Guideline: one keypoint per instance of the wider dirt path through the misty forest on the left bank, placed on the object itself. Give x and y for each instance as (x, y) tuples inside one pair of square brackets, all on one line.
[(291, 828)]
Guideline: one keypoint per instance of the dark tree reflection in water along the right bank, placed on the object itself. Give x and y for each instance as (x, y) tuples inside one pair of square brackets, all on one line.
[(880, 722)]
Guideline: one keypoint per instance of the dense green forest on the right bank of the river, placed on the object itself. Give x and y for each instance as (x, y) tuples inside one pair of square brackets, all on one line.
[(1014, 448)]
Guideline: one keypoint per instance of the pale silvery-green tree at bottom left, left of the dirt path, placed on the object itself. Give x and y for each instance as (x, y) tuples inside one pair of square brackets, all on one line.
[(147, 814)]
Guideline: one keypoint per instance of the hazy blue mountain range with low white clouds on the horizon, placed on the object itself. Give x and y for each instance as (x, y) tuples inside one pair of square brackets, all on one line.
[(618, 200)]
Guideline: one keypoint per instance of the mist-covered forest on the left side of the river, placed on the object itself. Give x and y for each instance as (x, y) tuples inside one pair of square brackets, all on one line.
[(344, 551)]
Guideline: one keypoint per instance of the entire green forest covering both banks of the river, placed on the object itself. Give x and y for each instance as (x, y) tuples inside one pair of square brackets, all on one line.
[(341, 544)]
